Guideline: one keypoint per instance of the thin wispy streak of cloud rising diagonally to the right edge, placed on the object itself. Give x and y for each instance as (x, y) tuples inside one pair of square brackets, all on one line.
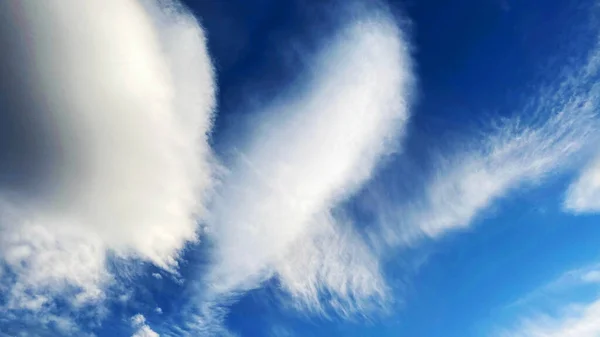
[(548, 136)]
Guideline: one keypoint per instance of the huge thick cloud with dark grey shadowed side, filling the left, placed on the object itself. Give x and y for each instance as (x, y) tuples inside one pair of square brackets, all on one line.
[(113, 112)]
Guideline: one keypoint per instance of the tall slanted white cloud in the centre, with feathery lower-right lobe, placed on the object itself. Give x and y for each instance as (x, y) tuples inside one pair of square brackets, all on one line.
[(273, 213)]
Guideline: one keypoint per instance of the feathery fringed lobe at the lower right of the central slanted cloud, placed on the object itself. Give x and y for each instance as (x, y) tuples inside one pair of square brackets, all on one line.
[(334, 263)]
